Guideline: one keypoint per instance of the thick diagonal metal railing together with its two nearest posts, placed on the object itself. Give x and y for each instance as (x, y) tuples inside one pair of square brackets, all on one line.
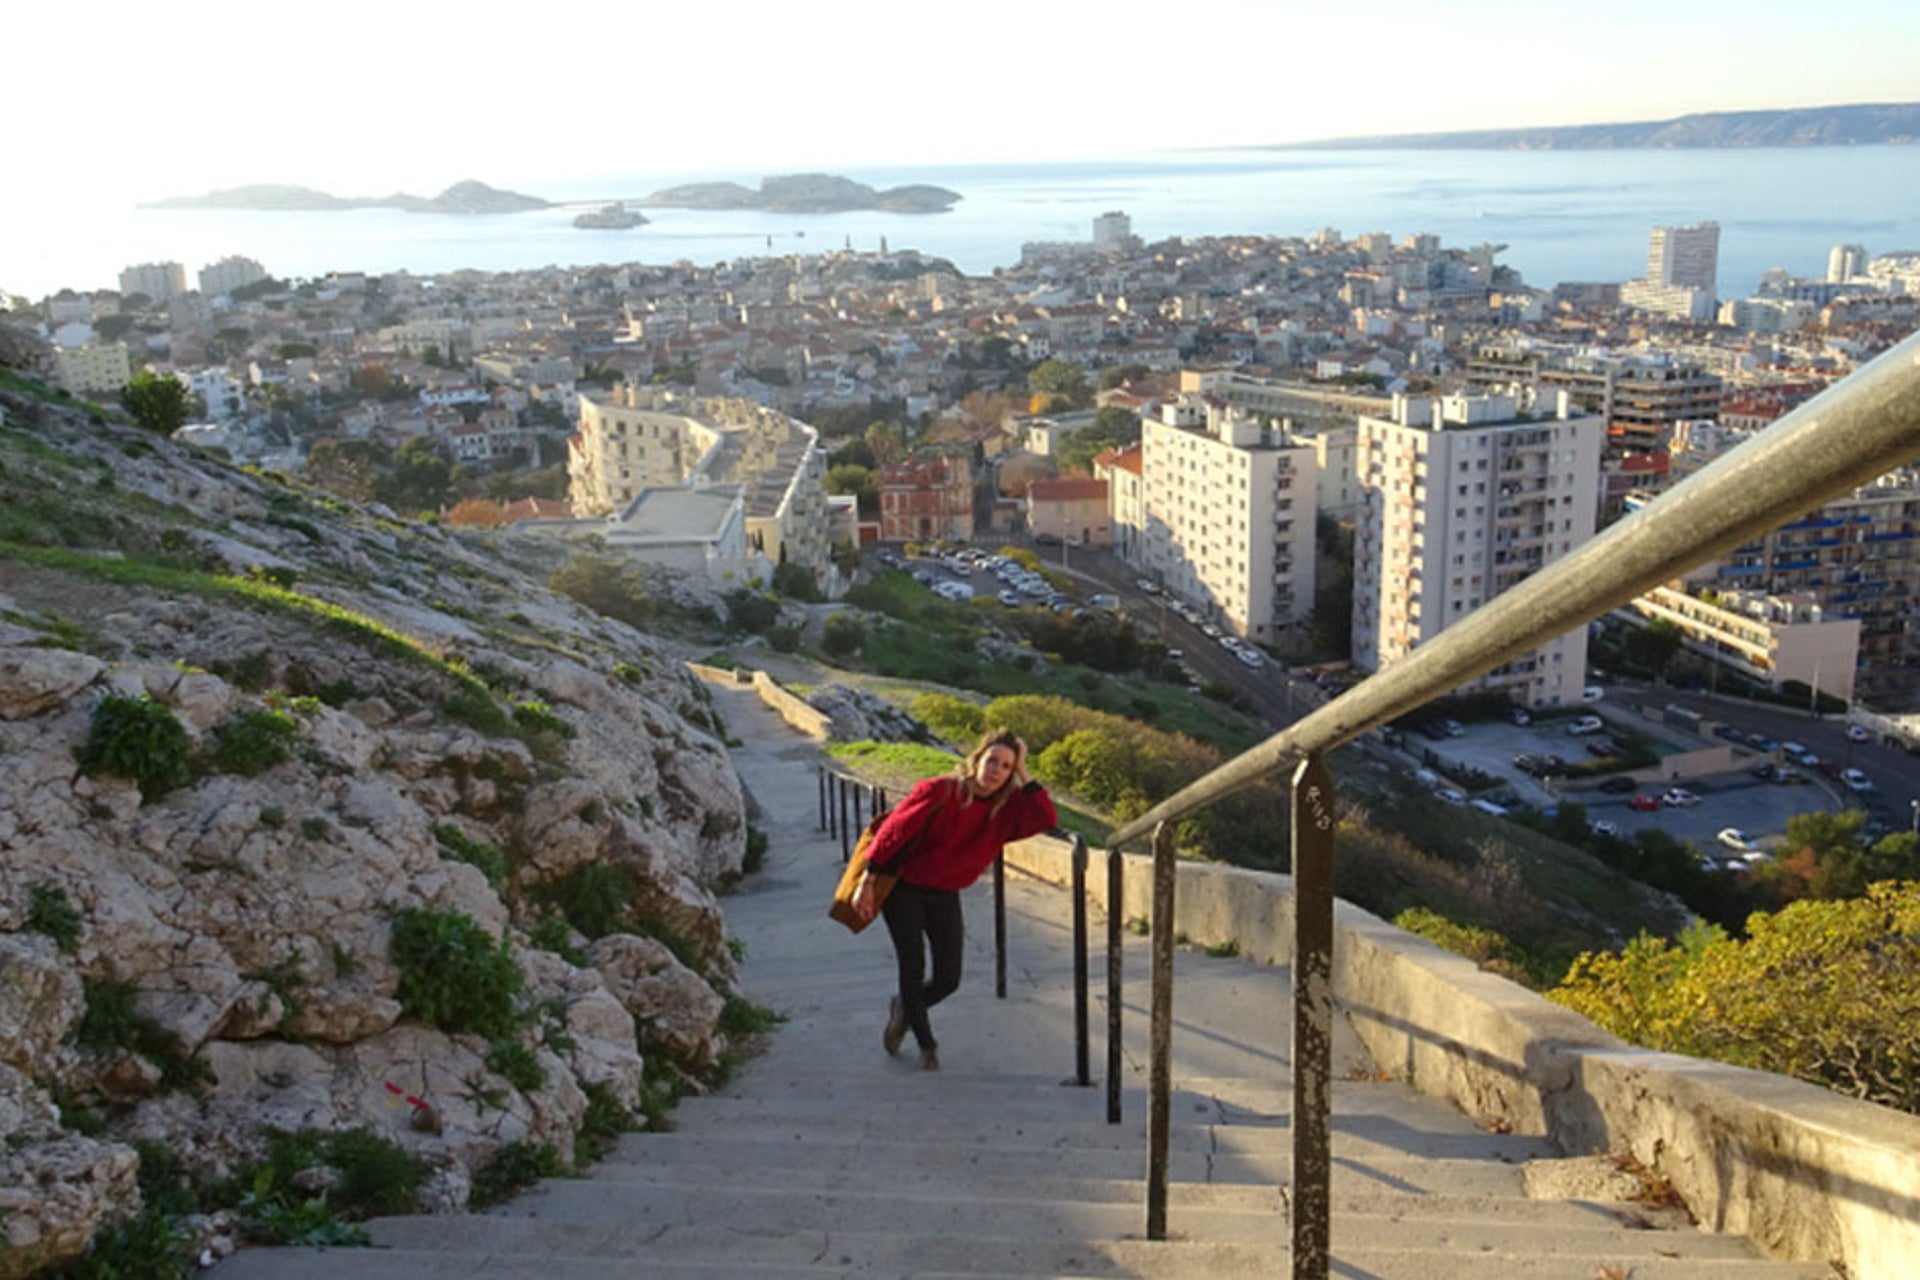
[(1836, 442)]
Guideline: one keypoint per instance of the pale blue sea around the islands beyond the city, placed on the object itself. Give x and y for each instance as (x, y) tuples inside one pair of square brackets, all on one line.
[(1560, 216)]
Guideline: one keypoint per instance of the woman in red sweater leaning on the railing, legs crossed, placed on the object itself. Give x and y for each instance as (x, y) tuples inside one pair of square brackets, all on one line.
[(949, 832)]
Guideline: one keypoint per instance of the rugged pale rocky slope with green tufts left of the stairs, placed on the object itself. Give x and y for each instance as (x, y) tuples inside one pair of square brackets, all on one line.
[(370, 721)]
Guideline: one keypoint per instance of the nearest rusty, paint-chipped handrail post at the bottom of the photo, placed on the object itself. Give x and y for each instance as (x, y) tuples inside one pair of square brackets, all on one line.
[(1312, 1210)]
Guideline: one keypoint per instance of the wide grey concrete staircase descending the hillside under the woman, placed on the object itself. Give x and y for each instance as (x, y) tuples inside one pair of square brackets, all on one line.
[(827, 1158)]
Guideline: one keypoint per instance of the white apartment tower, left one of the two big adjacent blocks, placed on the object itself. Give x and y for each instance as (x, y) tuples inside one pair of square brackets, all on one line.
[(1228, 513)]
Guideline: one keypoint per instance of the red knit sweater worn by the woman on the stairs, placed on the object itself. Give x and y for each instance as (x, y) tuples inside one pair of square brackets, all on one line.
[(963, 838)]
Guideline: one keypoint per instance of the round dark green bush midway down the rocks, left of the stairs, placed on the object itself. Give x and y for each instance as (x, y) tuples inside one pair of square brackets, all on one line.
[(454, 976)]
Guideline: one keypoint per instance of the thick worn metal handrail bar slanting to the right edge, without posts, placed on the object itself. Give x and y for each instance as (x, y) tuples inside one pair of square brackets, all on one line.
[(1846, 437)]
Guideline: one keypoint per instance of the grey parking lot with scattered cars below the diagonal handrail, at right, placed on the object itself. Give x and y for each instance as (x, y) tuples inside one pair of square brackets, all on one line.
[(1735, 799)]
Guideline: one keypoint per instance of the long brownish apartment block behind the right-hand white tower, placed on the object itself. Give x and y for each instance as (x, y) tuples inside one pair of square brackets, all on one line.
[(1641, 396)]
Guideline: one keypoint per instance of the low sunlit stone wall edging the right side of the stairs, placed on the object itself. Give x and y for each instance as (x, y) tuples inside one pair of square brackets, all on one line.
[(1806, 1173)]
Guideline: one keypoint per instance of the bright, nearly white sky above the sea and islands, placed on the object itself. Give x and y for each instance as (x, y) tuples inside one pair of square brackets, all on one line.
[(372, 97)]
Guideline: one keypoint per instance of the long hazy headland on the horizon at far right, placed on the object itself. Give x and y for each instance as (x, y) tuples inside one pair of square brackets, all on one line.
[(1873, 124)]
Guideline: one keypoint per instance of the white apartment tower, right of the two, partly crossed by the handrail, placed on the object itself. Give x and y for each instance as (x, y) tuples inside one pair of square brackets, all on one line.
[(1466, 496)]
